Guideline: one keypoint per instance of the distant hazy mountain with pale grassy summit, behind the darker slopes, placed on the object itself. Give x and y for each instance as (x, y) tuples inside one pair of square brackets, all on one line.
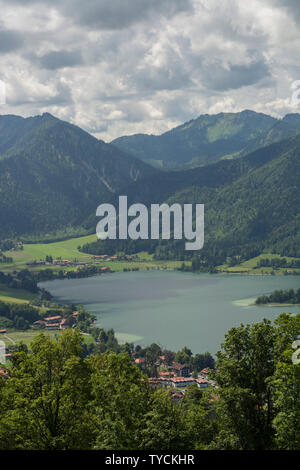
[(209, 138)]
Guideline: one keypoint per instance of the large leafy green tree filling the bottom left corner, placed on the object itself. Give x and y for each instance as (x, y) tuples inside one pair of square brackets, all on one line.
[(44, 401)]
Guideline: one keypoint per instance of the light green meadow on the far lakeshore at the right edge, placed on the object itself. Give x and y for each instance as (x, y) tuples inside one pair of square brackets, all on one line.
[(250, 266)]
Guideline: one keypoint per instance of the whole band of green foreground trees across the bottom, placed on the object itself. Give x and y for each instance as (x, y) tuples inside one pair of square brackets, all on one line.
[(56, 397)]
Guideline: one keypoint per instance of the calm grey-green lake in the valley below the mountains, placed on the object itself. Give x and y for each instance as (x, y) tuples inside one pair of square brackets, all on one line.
[(174, 309)]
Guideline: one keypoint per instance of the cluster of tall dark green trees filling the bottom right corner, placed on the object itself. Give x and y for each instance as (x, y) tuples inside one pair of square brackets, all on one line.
[(250, 371)]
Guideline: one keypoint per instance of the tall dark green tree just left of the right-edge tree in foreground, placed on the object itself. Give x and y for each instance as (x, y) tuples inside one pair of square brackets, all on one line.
[(246, 403)]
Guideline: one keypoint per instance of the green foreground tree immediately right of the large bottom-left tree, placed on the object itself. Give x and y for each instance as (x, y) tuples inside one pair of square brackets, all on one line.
[(120, 400)]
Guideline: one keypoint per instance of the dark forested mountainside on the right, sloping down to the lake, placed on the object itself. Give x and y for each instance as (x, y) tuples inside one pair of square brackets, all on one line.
[(241, 219)]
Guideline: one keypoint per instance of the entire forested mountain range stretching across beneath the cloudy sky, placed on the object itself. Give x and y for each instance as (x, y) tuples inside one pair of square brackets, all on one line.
[(53, 174)]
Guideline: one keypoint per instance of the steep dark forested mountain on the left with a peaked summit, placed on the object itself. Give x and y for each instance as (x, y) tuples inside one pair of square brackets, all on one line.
[(53, 174)]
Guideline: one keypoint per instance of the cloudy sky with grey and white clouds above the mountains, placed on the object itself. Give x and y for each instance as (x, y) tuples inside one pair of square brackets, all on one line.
[(121, 67)]
